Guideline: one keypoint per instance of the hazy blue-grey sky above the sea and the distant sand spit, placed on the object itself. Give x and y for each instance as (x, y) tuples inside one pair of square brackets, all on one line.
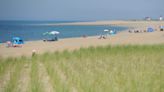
[(80, 9)]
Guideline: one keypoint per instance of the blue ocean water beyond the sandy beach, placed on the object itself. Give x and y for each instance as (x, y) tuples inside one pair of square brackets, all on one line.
[(33, 30)]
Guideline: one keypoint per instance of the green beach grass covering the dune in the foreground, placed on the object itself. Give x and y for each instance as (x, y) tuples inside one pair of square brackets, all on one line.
[(94, 69)]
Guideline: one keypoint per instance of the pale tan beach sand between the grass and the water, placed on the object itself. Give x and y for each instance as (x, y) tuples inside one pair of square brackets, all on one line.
[(122, 38)]
